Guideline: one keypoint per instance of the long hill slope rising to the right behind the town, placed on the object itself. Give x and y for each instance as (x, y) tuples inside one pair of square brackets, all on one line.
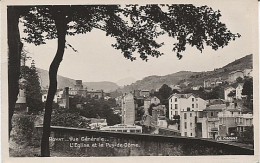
[(196, 78)]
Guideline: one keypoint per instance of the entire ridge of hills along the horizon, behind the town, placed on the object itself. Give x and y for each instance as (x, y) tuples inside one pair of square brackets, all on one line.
[(155, 81)]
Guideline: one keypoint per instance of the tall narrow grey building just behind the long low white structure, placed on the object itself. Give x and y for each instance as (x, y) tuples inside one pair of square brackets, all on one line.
[(128, 109)]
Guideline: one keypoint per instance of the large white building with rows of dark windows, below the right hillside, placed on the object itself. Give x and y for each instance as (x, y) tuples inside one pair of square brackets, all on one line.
[(184, 102)]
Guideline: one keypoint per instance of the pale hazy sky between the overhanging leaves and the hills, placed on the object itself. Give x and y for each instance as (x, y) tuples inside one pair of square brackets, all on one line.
[(96, 60)]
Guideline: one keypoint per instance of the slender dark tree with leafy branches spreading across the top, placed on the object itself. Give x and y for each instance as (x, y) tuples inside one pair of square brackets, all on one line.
[(134, 27)]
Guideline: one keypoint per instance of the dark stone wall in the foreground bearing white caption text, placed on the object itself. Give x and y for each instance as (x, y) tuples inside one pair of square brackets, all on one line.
[(102, 143)]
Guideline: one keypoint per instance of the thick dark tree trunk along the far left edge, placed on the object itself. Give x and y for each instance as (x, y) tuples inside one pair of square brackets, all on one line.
[(14, 55)]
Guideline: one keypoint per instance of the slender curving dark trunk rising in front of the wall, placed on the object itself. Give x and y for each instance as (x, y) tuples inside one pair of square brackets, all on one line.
[(61, 26)]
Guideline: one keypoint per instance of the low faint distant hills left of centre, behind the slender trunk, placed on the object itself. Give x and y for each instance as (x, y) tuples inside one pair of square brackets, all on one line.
[(67, 82)]
